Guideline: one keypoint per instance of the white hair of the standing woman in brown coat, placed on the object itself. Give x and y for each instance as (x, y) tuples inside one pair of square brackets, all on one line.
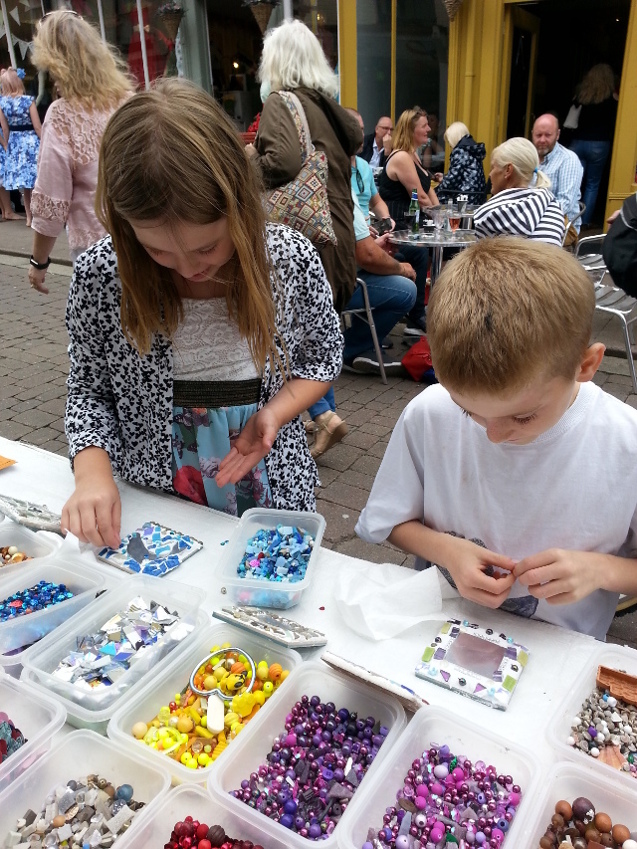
[(293, 57)]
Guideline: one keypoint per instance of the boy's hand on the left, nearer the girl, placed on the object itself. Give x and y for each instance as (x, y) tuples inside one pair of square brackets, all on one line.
[(472, 568)]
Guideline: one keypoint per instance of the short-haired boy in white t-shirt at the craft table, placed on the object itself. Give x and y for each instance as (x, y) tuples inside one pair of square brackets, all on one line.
[(516, 475)]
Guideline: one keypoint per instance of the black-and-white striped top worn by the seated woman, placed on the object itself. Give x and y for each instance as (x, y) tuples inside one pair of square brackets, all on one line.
[(531, 213)]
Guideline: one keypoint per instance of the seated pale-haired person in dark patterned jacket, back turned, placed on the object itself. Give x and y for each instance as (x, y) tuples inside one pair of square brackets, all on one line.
[(466, 171)]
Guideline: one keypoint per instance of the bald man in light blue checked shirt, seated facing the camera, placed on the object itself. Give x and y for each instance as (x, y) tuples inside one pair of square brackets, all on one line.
[(560, 165)]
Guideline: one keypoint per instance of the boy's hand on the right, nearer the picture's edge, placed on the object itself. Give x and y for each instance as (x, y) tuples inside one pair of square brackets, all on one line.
[(560, 576)]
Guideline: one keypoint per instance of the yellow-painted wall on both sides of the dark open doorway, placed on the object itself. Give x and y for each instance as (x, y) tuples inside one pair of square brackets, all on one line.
[(478, 86)]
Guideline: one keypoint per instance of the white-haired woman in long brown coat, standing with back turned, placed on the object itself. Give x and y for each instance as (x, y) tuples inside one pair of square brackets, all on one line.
[(293, 60)]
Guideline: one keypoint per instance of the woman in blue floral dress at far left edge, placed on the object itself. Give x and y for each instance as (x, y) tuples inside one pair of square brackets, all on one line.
[(21, 157)]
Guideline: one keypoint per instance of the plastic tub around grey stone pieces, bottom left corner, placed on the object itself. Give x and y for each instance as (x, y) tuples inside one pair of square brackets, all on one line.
[(79, 754)]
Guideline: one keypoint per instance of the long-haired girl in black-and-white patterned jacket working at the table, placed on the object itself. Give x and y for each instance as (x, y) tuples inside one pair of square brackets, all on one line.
[(198, 332)]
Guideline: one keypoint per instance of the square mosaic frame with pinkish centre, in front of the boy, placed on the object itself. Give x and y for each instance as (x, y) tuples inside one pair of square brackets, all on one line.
[(476, 662)]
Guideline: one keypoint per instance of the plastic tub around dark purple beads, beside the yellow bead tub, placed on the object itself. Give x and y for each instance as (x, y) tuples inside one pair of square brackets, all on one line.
[(253, 745)]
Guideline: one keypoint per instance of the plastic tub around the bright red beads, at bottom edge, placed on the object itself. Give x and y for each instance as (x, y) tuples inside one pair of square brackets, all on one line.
[(191, 800)]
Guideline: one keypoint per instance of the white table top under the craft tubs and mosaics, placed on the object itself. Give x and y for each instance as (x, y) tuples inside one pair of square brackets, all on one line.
[(557, 656)]
